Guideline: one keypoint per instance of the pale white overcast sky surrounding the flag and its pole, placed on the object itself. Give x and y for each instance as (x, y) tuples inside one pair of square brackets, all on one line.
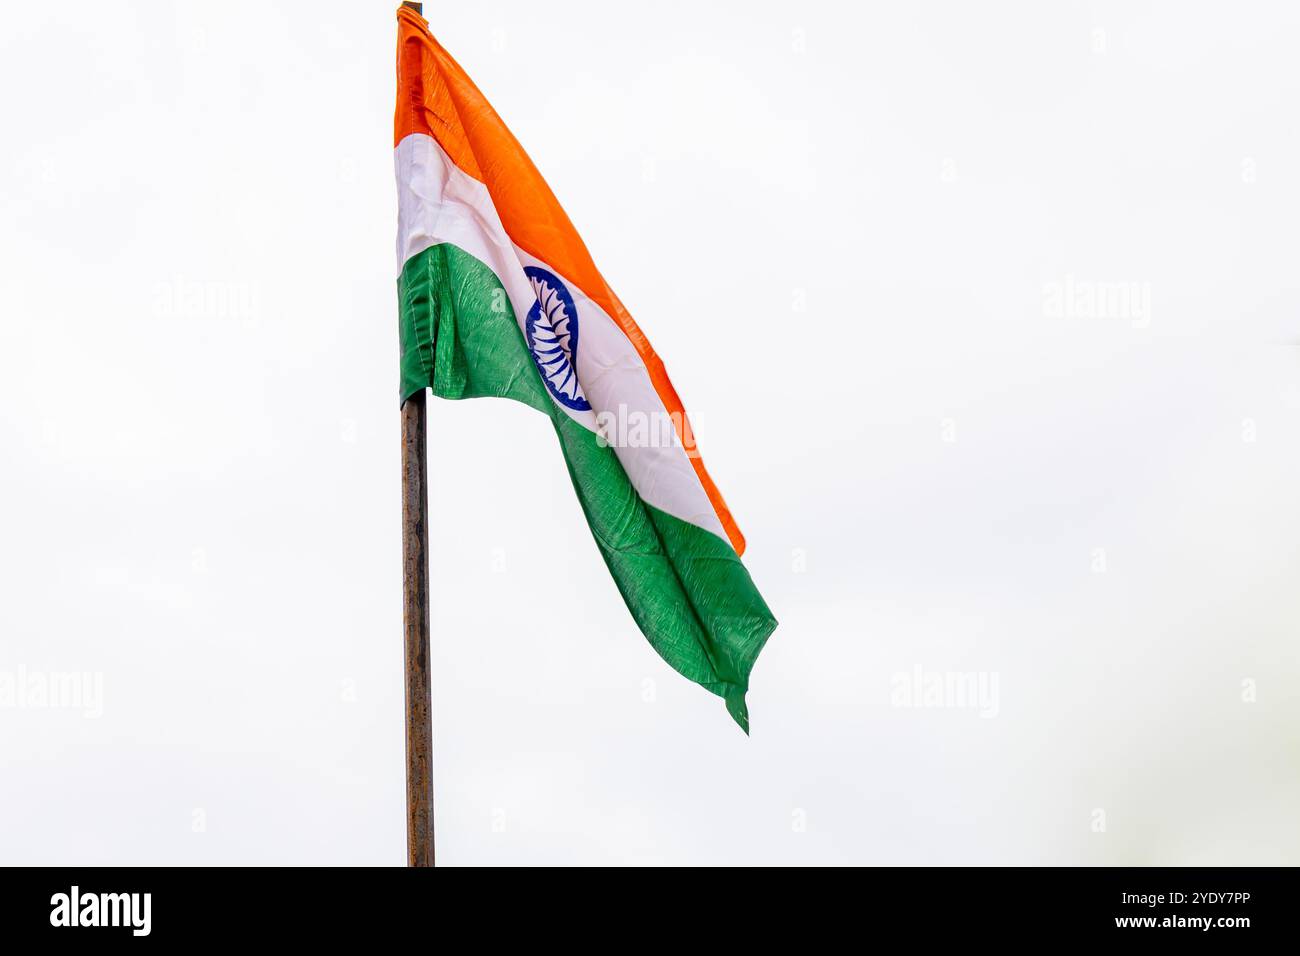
[(843, 228)]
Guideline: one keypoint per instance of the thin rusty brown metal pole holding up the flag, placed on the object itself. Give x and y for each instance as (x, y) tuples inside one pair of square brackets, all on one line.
[(415, 624)]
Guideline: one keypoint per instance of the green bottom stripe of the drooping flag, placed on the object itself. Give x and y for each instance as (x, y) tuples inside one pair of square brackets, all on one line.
[(686, 587)]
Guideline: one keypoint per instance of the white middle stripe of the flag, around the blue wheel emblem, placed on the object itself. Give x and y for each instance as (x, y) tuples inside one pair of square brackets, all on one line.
[(437, 202)]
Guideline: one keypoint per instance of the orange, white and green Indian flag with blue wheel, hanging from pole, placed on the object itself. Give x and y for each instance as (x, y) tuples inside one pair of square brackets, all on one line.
[(500, 297)]
